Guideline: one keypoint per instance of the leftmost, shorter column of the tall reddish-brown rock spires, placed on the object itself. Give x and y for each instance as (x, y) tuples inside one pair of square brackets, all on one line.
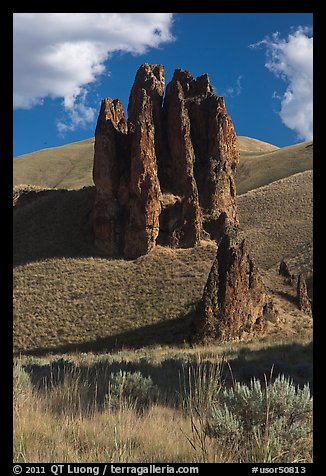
[(111, 176)]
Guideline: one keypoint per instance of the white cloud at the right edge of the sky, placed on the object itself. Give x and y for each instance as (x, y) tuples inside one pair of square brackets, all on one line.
[(292, 60)]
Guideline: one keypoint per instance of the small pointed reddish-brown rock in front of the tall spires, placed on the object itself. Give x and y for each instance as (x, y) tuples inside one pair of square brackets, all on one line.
[(235, 301)]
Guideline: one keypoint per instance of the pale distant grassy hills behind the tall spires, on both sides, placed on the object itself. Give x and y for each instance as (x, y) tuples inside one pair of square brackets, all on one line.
[(70, 166)]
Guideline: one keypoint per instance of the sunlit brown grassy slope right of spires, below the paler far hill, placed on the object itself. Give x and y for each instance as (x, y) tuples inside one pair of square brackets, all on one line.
[(277, 219)]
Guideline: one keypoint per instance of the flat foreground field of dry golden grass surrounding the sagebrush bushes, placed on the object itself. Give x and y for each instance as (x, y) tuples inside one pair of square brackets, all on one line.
[(66, 422)]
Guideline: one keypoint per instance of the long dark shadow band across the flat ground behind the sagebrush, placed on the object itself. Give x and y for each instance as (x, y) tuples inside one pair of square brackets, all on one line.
[(171, 375)]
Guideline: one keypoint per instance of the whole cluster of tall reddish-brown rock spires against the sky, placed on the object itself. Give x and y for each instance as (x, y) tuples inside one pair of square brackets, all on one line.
[(166, 174)]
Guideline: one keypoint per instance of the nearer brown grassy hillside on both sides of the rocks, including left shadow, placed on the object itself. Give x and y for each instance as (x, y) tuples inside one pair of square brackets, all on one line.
[(66, 293)]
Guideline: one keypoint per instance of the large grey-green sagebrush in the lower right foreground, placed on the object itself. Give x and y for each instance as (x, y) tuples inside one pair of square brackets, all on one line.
[(274, 420)]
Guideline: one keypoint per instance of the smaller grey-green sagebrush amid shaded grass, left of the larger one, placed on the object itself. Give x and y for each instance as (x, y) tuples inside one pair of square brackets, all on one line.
[(130, 388)]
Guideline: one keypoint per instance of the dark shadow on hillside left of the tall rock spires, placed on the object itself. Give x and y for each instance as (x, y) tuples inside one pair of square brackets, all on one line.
[(53, 224)]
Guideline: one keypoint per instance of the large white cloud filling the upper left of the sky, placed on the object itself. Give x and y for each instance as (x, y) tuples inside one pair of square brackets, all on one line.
[(58, 55)]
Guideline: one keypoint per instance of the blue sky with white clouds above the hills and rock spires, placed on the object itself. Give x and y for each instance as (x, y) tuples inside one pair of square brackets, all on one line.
[(64, 64)]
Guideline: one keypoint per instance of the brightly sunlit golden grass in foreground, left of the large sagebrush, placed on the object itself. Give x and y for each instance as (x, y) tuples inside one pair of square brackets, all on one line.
[(158, 435)]
